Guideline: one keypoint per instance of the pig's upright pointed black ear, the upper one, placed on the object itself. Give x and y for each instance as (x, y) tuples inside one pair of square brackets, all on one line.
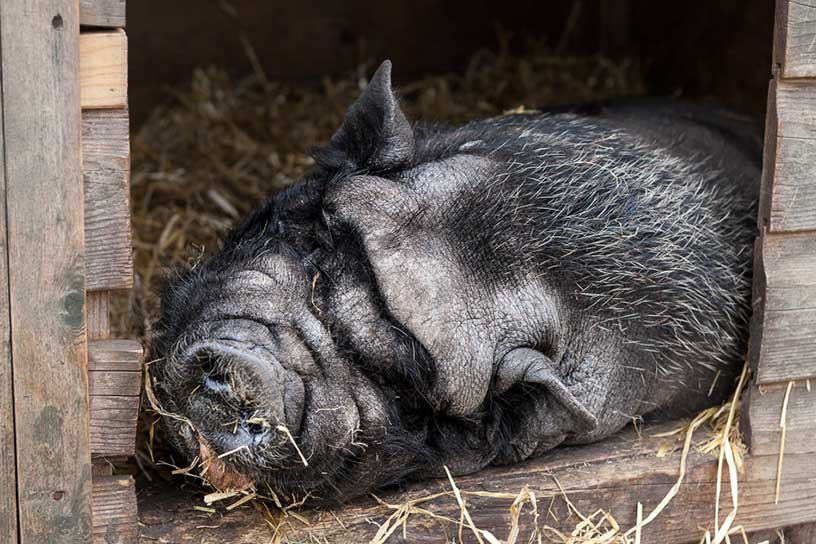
[(375, 135)]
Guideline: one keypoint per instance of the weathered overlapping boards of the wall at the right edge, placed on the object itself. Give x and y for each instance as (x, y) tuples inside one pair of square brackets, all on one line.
[(781, 422)]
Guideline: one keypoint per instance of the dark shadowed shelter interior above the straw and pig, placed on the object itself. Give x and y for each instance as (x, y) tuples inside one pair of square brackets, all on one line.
[(716, 50)]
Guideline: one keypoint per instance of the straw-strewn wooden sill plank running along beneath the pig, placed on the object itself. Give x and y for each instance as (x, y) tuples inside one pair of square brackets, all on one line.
[(615, 484)]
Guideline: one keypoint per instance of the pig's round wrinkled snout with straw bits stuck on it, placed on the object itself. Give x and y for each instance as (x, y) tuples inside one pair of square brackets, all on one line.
[(248, 393)]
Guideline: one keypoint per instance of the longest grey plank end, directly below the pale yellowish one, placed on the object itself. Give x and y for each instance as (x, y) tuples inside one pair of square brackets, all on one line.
[(106, 171)]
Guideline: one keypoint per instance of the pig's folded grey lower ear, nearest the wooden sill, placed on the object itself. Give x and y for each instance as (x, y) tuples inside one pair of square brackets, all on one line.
[(532, 366)]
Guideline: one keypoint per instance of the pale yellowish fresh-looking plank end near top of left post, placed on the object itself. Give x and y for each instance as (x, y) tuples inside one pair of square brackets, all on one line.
[(103, 69)]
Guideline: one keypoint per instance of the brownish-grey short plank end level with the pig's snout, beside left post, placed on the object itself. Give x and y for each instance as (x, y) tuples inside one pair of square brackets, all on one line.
[(115, 386)]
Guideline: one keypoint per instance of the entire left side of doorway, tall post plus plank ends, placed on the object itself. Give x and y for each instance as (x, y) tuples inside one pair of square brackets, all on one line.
[(69, 394)]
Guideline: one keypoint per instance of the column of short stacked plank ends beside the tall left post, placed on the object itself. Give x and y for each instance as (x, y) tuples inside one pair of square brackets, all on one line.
[(114, 365)]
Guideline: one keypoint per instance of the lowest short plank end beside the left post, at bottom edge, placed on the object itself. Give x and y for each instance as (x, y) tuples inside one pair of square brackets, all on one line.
[(114, 508)]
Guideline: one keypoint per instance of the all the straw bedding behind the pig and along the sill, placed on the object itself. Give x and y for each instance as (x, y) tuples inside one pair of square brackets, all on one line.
[(221, 147)]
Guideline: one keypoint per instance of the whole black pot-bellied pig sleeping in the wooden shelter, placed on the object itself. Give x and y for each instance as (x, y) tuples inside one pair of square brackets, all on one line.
[(437, 296)]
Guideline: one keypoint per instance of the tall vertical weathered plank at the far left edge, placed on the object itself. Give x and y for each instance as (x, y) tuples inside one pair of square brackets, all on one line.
[(41, 110)]
